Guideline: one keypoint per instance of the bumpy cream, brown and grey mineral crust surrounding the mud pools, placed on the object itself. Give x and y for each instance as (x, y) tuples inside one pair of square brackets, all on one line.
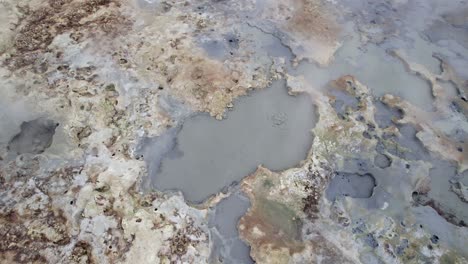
[(111, 72)]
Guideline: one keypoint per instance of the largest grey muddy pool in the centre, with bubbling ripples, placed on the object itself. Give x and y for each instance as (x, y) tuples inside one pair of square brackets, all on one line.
[(267, 127)]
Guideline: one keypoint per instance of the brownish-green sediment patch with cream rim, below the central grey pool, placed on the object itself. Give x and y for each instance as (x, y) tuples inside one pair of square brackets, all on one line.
[(275, 229)]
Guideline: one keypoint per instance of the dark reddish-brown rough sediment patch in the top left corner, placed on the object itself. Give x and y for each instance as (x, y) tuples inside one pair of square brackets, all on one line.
[(40, 25)]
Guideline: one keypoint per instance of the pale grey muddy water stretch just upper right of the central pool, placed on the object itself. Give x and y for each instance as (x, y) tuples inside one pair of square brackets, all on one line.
[(372, 66)]
